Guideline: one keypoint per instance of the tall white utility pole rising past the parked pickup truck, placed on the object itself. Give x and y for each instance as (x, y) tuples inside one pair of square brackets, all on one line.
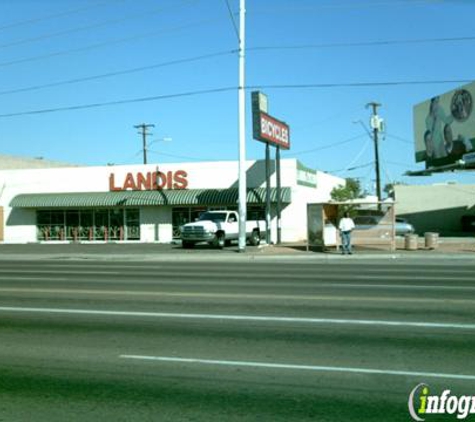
[(242, 130)]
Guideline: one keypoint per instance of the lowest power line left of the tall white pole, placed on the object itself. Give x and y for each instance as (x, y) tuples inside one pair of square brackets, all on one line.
[(119, 102)]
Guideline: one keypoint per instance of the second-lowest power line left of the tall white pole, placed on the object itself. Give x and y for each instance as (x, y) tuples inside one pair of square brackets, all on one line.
[(119, 72)]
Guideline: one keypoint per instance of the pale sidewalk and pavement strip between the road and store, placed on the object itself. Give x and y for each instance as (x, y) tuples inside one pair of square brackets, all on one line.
[(448, 248)]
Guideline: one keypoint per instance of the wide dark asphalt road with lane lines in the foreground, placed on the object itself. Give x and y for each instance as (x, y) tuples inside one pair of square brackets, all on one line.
[(231, 341)]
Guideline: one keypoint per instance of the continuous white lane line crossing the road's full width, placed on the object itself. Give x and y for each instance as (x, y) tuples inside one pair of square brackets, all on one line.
[(255, 318)]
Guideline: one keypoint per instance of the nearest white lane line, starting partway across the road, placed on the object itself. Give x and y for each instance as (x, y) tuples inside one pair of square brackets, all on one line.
[(365, 371)]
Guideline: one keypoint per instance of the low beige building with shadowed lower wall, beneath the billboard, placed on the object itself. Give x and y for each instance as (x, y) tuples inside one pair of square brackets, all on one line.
[(443, 208)]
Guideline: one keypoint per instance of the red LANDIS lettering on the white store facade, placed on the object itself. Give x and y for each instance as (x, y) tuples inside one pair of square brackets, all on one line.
[(150, 181)]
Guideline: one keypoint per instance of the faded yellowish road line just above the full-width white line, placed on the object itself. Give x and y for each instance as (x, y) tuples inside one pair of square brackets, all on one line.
[(262, 296)]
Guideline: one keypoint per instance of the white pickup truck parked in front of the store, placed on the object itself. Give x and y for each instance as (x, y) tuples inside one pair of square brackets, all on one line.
[(218, 228)]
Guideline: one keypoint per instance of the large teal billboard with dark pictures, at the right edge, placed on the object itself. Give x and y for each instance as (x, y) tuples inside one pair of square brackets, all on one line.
[(444, 127)]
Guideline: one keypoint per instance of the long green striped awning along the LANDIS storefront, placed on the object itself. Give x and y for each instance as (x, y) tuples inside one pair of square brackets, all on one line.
[(145, 198)]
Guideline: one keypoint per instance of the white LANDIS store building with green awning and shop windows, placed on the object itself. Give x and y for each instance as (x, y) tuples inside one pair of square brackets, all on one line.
[(148, 203)]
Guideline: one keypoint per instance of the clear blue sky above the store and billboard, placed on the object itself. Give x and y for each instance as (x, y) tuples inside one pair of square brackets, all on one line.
[(76, 76)]
